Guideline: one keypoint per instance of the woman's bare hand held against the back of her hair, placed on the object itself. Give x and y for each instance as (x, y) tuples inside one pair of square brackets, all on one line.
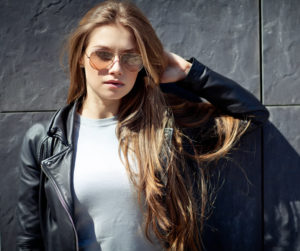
[(177, 68)]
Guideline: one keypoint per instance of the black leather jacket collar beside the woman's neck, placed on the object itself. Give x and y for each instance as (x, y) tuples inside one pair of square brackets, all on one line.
[(62, 123)]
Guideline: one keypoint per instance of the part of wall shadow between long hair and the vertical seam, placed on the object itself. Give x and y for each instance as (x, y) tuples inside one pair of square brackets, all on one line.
[(235, 224)]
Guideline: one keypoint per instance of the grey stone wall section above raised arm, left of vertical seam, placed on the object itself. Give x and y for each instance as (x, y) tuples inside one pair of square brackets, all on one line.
[(222, 34)]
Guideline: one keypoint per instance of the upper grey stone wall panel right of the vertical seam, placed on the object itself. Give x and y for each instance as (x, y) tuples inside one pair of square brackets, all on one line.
[(281, 47)]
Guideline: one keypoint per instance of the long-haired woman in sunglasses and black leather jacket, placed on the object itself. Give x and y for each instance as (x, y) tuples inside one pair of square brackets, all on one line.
[(122, 166)]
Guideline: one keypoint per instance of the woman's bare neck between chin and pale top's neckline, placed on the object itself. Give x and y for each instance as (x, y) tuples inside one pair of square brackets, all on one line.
[(99, 109)]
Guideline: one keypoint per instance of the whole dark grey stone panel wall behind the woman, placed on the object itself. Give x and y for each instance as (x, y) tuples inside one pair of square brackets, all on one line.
[(256, 43)]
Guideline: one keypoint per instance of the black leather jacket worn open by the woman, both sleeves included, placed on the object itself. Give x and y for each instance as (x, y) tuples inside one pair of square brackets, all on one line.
[(45, 206)]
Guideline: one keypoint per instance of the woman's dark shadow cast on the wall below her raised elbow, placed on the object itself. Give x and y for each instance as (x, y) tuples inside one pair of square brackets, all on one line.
[(238, 222)]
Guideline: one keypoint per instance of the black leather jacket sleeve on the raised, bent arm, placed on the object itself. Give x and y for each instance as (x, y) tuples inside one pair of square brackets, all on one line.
[(224, 93)]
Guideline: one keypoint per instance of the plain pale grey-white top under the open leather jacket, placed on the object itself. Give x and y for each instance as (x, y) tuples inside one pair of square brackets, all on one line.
[(107, 215)]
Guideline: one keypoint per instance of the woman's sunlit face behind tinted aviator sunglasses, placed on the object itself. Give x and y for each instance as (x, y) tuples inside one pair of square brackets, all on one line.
[(114, 81)]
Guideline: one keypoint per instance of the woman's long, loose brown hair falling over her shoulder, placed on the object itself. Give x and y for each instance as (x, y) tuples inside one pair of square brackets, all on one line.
[(168, 178)]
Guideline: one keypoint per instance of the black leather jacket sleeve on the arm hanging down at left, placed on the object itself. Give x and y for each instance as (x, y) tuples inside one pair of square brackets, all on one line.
[(28, 223)]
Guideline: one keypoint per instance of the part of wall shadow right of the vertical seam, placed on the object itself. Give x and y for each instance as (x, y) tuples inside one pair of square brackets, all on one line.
[(281, 192)]
